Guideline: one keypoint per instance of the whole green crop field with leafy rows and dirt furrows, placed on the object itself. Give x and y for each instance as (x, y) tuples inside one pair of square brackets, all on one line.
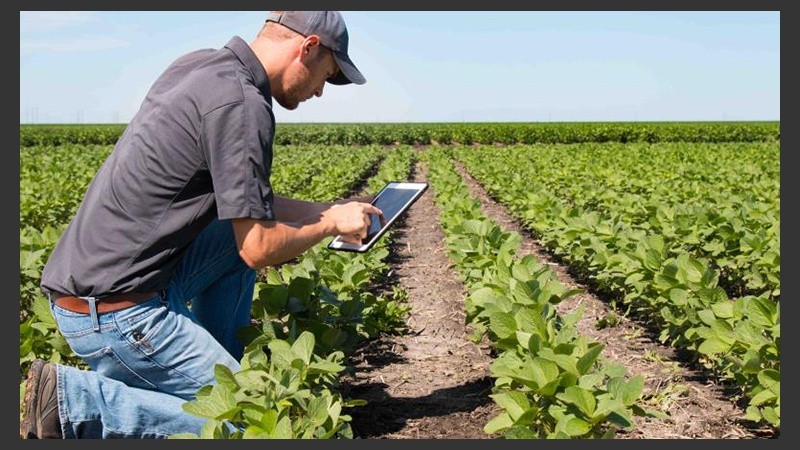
[(569, 280)]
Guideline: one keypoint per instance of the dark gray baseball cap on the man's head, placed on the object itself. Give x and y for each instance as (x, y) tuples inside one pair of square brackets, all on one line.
[(332, 32)]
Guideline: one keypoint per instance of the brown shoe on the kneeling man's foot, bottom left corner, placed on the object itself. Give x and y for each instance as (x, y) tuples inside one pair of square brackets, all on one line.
[(40, 414)]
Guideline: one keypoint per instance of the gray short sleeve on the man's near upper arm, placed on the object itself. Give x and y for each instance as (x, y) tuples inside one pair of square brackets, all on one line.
[(237, 141)]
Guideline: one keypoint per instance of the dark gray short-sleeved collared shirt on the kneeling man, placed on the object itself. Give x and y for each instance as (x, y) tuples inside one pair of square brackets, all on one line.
[(199, 148)]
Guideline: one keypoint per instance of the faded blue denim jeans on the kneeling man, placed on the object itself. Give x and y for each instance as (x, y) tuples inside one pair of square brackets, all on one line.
[(149, 359)]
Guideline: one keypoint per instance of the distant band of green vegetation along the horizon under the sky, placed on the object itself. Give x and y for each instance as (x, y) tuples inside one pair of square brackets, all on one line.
[(449, 133)]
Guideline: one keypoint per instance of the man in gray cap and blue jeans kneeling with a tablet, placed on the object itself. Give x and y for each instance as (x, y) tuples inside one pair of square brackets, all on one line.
[(182, 212)]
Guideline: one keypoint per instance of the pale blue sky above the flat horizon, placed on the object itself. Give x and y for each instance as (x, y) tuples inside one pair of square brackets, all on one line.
[(426, 66)]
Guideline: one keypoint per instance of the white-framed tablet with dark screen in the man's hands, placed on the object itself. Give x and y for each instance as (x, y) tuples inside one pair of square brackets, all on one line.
[(394, 199)]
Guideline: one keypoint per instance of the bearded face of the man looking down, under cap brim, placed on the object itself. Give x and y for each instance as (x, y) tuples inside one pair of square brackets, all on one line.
[(306, 77)]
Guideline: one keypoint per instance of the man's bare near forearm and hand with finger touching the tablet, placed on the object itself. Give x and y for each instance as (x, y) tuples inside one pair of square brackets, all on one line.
[(264, 243)]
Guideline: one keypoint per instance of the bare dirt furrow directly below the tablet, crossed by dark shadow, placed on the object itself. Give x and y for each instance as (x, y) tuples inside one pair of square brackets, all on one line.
[(432, 382)]
